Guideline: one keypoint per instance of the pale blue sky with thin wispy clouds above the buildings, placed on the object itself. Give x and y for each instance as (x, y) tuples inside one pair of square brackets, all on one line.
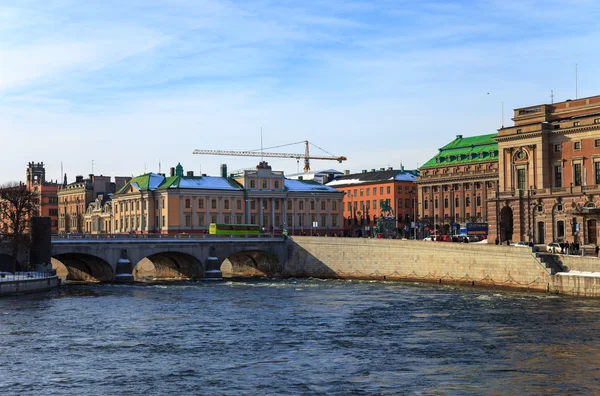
[(130, 86)]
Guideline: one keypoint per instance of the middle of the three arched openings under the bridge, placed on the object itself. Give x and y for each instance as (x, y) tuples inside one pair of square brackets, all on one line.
[(168, 265)]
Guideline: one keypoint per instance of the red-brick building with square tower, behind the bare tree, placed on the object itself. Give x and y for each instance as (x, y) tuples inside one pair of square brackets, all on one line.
[(47, 190)]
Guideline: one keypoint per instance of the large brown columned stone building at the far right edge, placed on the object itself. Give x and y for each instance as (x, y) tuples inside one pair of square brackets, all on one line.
[(549, 185)]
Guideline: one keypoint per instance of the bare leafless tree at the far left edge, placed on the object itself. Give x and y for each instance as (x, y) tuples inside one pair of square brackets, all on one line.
[(18, 205)]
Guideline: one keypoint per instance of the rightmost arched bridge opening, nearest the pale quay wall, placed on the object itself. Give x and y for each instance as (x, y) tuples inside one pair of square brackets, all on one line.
[(251, 264)]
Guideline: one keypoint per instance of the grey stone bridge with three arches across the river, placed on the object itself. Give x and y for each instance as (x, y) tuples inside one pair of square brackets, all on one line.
[(109, 259)]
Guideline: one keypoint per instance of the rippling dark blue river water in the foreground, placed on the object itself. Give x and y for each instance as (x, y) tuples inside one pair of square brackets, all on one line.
[(297, 337)]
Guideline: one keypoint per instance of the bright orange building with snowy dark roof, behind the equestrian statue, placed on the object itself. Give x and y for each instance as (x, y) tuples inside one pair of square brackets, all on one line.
[(364, 193)]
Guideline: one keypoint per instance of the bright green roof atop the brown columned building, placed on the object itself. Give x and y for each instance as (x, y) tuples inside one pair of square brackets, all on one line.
[(466, 150)]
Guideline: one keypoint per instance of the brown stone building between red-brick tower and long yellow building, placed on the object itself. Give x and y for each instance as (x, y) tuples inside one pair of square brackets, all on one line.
[(74, 198)]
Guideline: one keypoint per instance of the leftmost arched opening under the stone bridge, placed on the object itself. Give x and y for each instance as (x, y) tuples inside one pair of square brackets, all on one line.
[(82, 267)]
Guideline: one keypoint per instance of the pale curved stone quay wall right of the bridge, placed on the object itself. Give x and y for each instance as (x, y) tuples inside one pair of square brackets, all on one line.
[(459, 263)]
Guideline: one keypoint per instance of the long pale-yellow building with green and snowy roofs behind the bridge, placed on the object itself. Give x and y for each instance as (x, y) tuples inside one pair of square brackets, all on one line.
[(178, 203)]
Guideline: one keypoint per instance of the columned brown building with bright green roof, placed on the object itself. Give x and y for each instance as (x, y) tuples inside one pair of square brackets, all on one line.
[(454, 186)]
